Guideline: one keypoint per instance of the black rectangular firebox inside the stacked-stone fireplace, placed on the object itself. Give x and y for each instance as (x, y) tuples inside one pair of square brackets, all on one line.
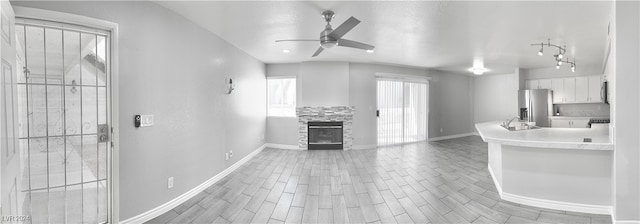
[(325, 135)]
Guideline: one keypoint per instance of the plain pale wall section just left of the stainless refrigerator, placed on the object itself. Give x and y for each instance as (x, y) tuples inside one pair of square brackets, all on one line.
[(495, 97)]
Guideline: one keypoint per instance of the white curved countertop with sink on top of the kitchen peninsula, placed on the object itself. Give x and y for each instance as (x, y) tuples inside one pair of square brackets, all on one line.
[(564, 138)]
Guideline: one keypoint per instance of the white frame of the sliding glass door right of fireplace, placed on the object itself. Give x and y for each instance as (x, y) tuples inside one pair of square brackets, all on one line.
[(404, 79)]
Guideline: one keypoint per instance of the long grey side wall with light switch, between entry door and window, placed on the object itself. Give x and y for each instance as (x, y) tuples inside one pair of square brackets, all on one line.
[(175, 70)]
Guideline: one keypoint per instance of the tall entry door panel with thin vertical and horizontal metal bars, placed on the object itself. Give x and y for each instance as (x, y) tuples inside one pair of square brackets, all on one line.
[(63, 95)]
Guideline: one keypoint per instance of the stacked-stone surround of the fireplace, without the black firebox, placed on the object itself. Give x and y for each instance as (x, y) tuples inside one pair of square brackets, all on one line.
[(324, 114)]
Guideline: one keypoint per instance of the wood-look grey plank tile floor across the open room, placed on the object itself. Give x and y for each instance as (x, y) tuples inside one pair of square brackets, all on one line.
[(436, 182)]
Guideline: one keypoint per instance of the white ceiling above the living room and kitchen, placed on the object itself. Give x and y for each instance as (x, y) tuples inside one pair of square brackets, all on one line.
[(444, 35)]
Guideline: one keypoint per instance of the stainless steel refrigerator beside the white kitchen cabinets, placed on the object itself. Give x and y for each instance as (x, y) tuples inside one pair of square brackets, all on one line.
[(536, 105)]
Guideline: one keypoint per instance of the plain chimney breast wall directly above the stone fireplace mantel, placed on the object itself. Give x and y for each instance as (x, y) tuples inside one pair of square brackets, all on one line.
[(323, 84)]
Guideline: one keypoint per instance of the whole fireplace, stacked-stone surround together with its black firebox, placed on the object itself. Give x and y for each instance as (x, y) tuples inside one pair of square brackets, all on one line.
[(324, 126)]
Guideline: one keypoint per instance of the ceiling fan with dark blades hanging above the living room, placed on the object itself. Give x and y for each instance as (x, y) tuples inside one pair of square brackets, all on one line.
[(333, 37)]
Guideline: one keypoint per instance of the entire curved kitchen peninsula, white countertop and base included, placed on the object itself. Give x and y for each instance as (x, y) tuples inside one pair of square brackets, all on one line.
[(551, 167)]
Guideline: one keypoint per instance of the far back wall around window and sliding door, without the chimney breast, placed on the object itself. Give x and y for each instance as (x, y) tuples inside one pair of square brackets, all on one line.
[(450, 102)]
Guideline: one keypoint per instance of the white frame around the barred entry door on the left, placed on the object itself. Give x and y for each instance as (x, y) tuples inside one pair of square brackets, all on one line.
[(61, 17)]
